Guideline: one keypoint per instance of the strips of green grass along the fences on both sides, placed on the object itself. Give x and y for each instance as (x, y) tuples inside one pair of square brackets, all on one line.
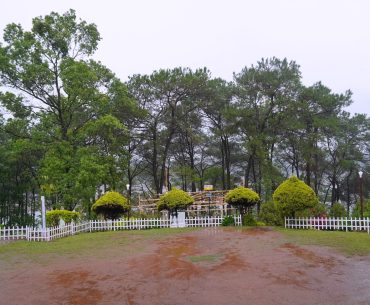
[(349, 243)]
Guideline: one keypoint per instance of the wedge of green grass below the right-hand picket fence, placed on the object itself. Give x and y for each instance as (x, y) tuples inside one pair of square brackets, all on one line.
[(349, 243)]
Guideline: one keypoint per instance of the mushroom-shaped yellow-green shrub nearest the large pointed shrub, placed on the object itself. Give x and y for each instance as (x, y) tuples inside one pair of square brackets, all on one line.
[(242, 198)]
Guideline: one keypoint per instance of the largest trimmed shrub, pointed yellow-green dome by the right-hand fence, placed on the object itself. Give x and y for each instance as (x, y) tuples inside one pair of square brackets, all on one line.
[(294, 195)]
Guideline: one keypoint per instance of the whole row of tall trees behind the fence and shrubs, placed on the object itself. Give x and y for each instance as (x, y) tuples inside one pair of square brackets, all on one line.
[(70, 129)]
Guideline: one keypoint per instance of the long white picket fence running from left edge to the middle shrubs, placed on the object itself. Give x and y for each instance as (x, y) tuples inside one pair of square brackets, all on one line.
[(33, 234)]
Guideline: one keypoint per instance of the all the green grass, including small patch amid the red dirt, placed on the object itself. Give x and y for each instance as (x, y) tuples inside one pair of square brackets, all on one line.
[(102, 244)]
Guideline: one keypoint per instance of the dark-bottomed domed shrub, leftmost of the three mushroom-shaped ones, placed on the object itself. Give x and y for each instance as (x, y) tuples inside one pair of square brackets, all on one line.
[(111, 205)]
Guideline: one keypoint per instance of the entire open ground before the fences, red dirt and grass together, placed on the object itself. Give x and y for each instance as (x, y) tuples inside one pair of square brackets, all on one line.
[(232, 264)]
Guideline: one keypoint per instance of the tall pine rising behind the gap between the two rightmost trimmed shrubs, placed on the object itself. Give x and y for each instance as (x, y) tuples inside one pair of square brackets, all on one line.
[(263, 94)]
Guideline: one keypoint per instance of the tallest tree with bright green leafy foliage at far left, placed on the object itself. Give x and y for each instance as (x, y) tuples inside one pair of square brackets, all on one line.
[(67, 108)]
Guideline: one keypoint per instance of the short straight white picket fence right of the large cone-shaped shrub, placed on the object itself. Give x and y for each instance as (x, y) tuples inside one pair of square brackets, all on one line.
[(321, 223)]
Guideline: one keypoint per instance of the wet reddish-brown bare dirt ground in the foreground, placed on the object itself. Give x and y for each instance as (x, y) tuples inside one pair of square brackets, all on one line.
[(215, 266)]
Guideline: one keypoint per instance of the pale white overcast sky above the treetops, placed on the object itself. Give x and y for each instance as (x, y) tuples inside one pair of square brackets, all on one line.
[(329, 39)]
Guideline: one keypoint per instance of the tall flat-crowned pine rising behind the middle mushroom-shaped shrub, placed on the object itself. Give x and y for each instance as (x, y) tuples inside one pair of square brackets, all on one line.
[(164, 94)]
